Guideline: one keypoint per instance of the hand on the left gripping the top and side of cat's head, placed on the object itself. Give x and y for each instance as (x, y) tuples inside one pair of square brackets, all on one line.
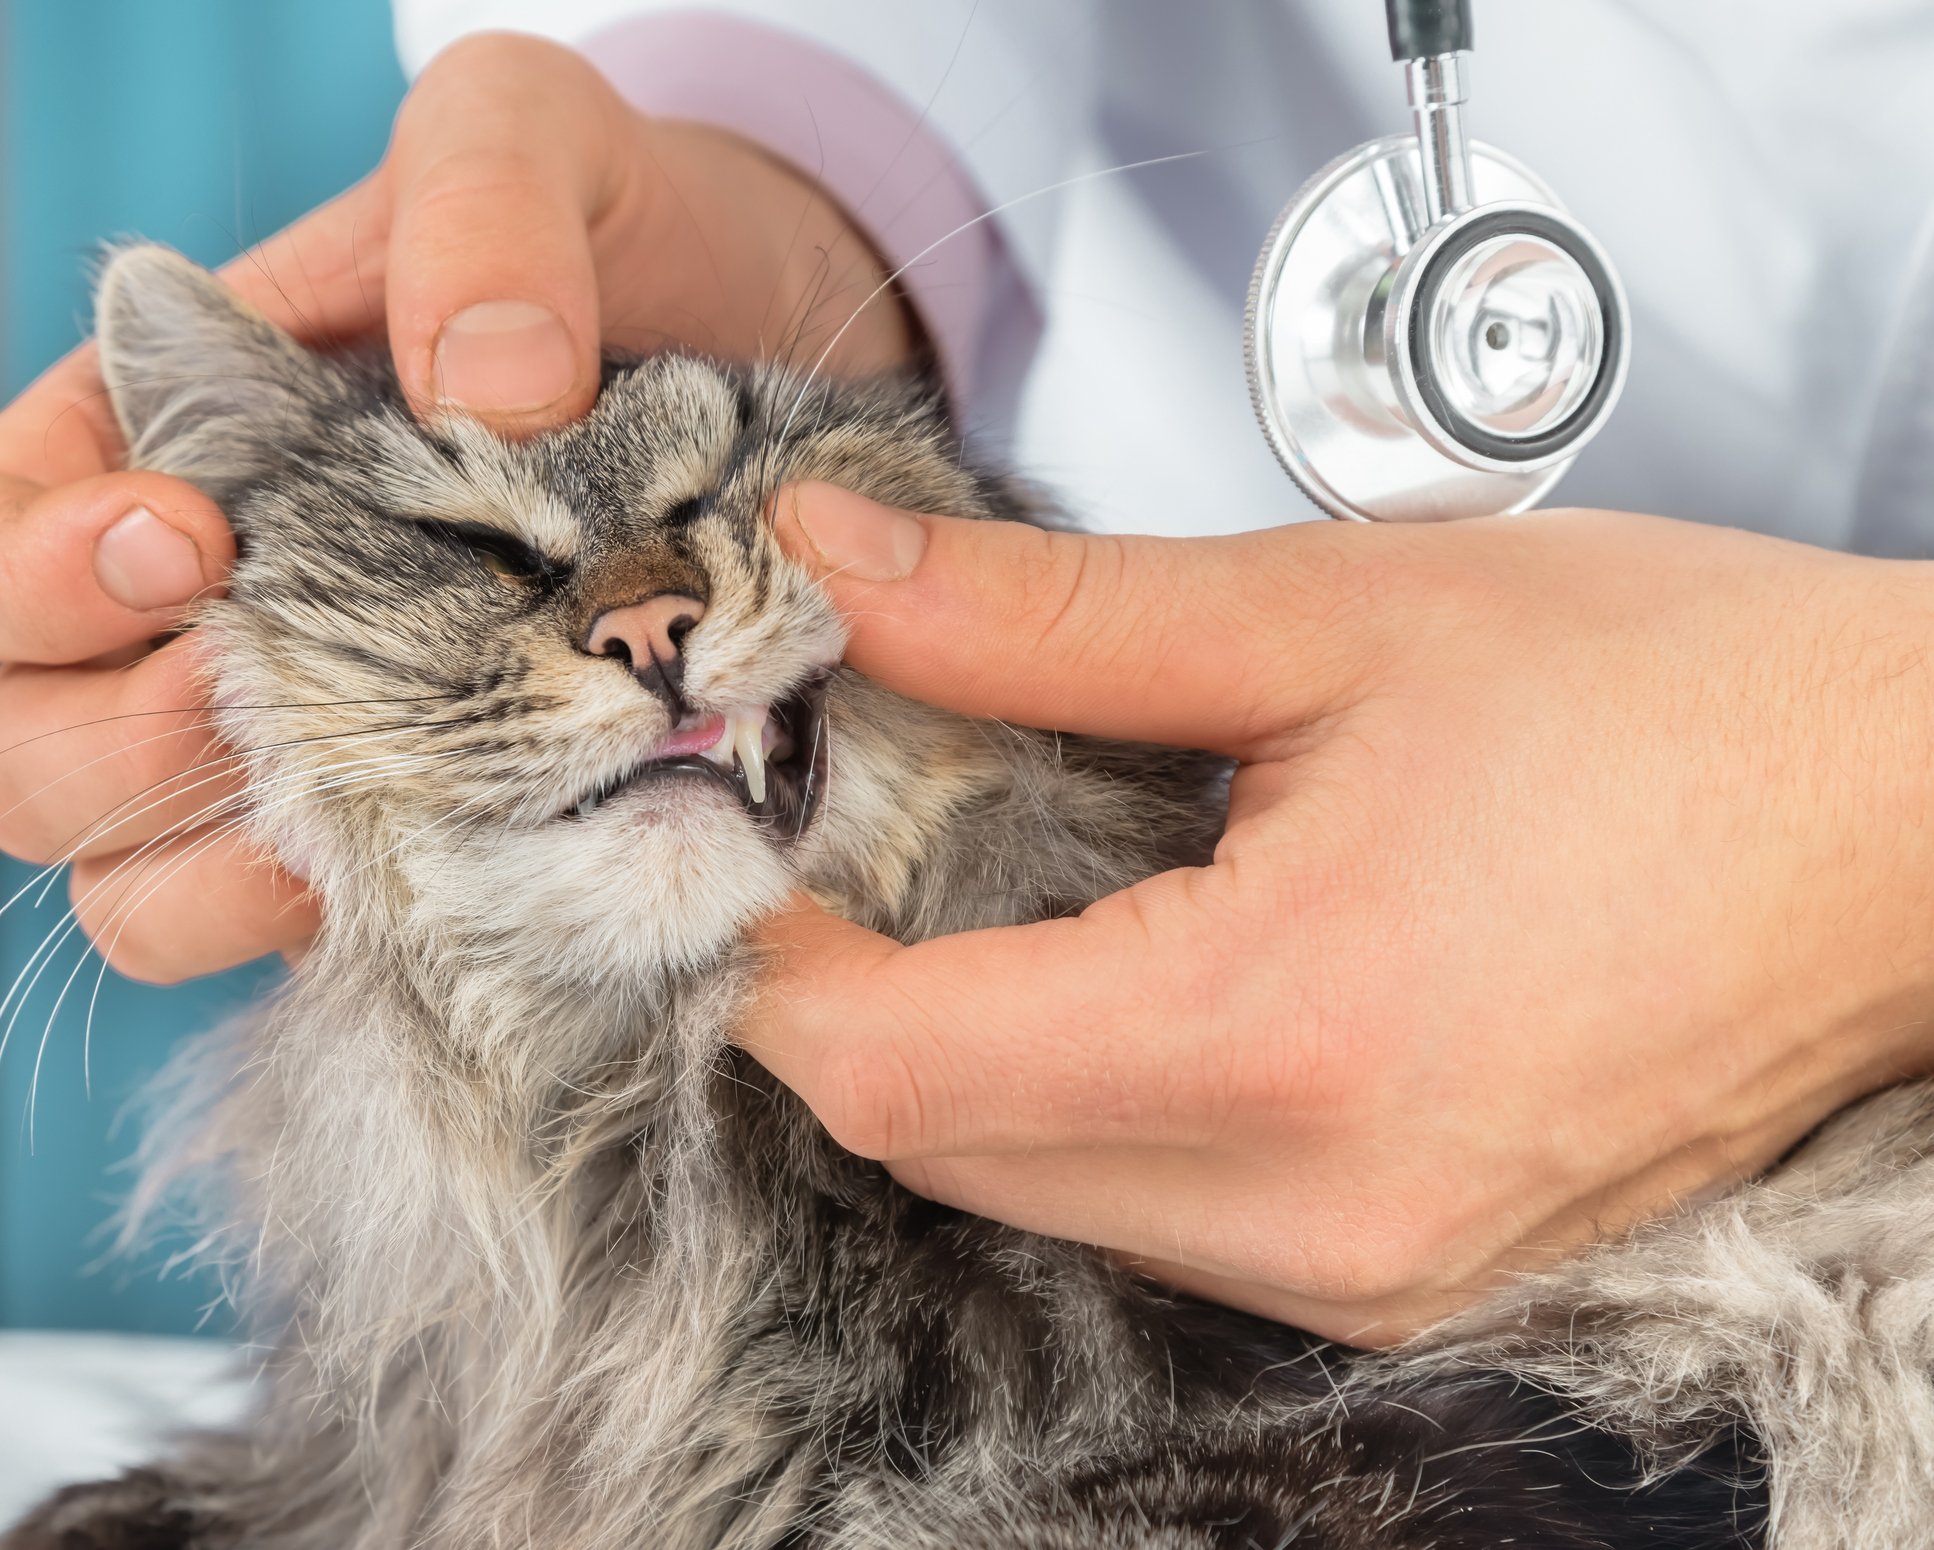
[(523, 220)]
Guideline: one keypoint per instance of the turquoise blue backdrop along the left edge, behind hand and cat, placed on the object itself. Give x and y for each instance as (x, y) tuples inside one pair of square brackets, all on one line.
[(206, 125)]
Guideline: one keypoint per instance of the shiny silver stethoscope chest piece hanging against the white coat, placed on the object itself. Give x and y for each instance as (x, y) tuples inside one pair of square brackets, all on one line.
[(1430, 334)]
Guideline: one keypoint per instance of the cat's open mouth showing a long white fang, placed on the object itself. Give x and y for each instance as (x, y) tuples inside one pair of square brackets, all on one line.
[(773, 758)]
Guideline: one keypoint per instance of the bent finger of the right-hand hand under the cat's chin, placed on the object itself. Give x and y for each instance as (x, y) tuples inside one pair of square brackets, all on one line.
[(1011, 1040)]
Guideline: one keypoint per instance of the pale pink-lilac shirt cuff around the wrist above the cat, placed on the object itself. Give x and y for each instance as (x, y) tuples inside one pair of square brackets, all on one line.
[(850, 133)]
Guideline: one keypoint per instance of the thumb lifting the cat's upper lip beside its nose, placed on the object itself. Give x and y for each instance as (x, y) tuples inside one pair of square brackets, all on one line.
[(1216, 643)]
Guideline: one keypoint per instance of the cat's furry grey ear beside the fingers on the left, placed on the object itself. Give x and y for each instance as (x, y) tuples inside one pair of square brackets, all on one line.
[(200, 382)]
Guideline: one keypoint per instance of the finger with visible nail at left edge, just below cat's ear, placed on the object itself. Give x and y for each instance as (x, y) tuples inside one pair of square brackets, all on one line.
[(102, 564)]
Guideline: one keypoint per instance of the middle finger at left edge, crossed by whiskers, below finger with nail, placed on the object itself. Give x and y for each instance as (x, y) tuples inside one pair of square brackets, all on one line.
[(100, 761)]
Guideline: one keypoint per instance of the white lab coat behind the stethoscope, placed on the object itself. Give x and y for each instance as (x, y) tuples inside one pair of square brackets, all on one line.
[(1761, 173)]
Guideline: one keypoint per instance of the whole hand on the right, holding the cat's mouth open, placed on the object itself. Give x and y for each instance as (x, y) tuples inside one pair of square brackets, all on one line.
[(1577, 866)]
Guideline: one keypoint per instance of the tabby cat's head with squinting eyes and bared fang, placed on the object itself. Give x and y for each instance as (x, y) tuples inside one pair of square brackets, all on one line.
[(566, 701)]
